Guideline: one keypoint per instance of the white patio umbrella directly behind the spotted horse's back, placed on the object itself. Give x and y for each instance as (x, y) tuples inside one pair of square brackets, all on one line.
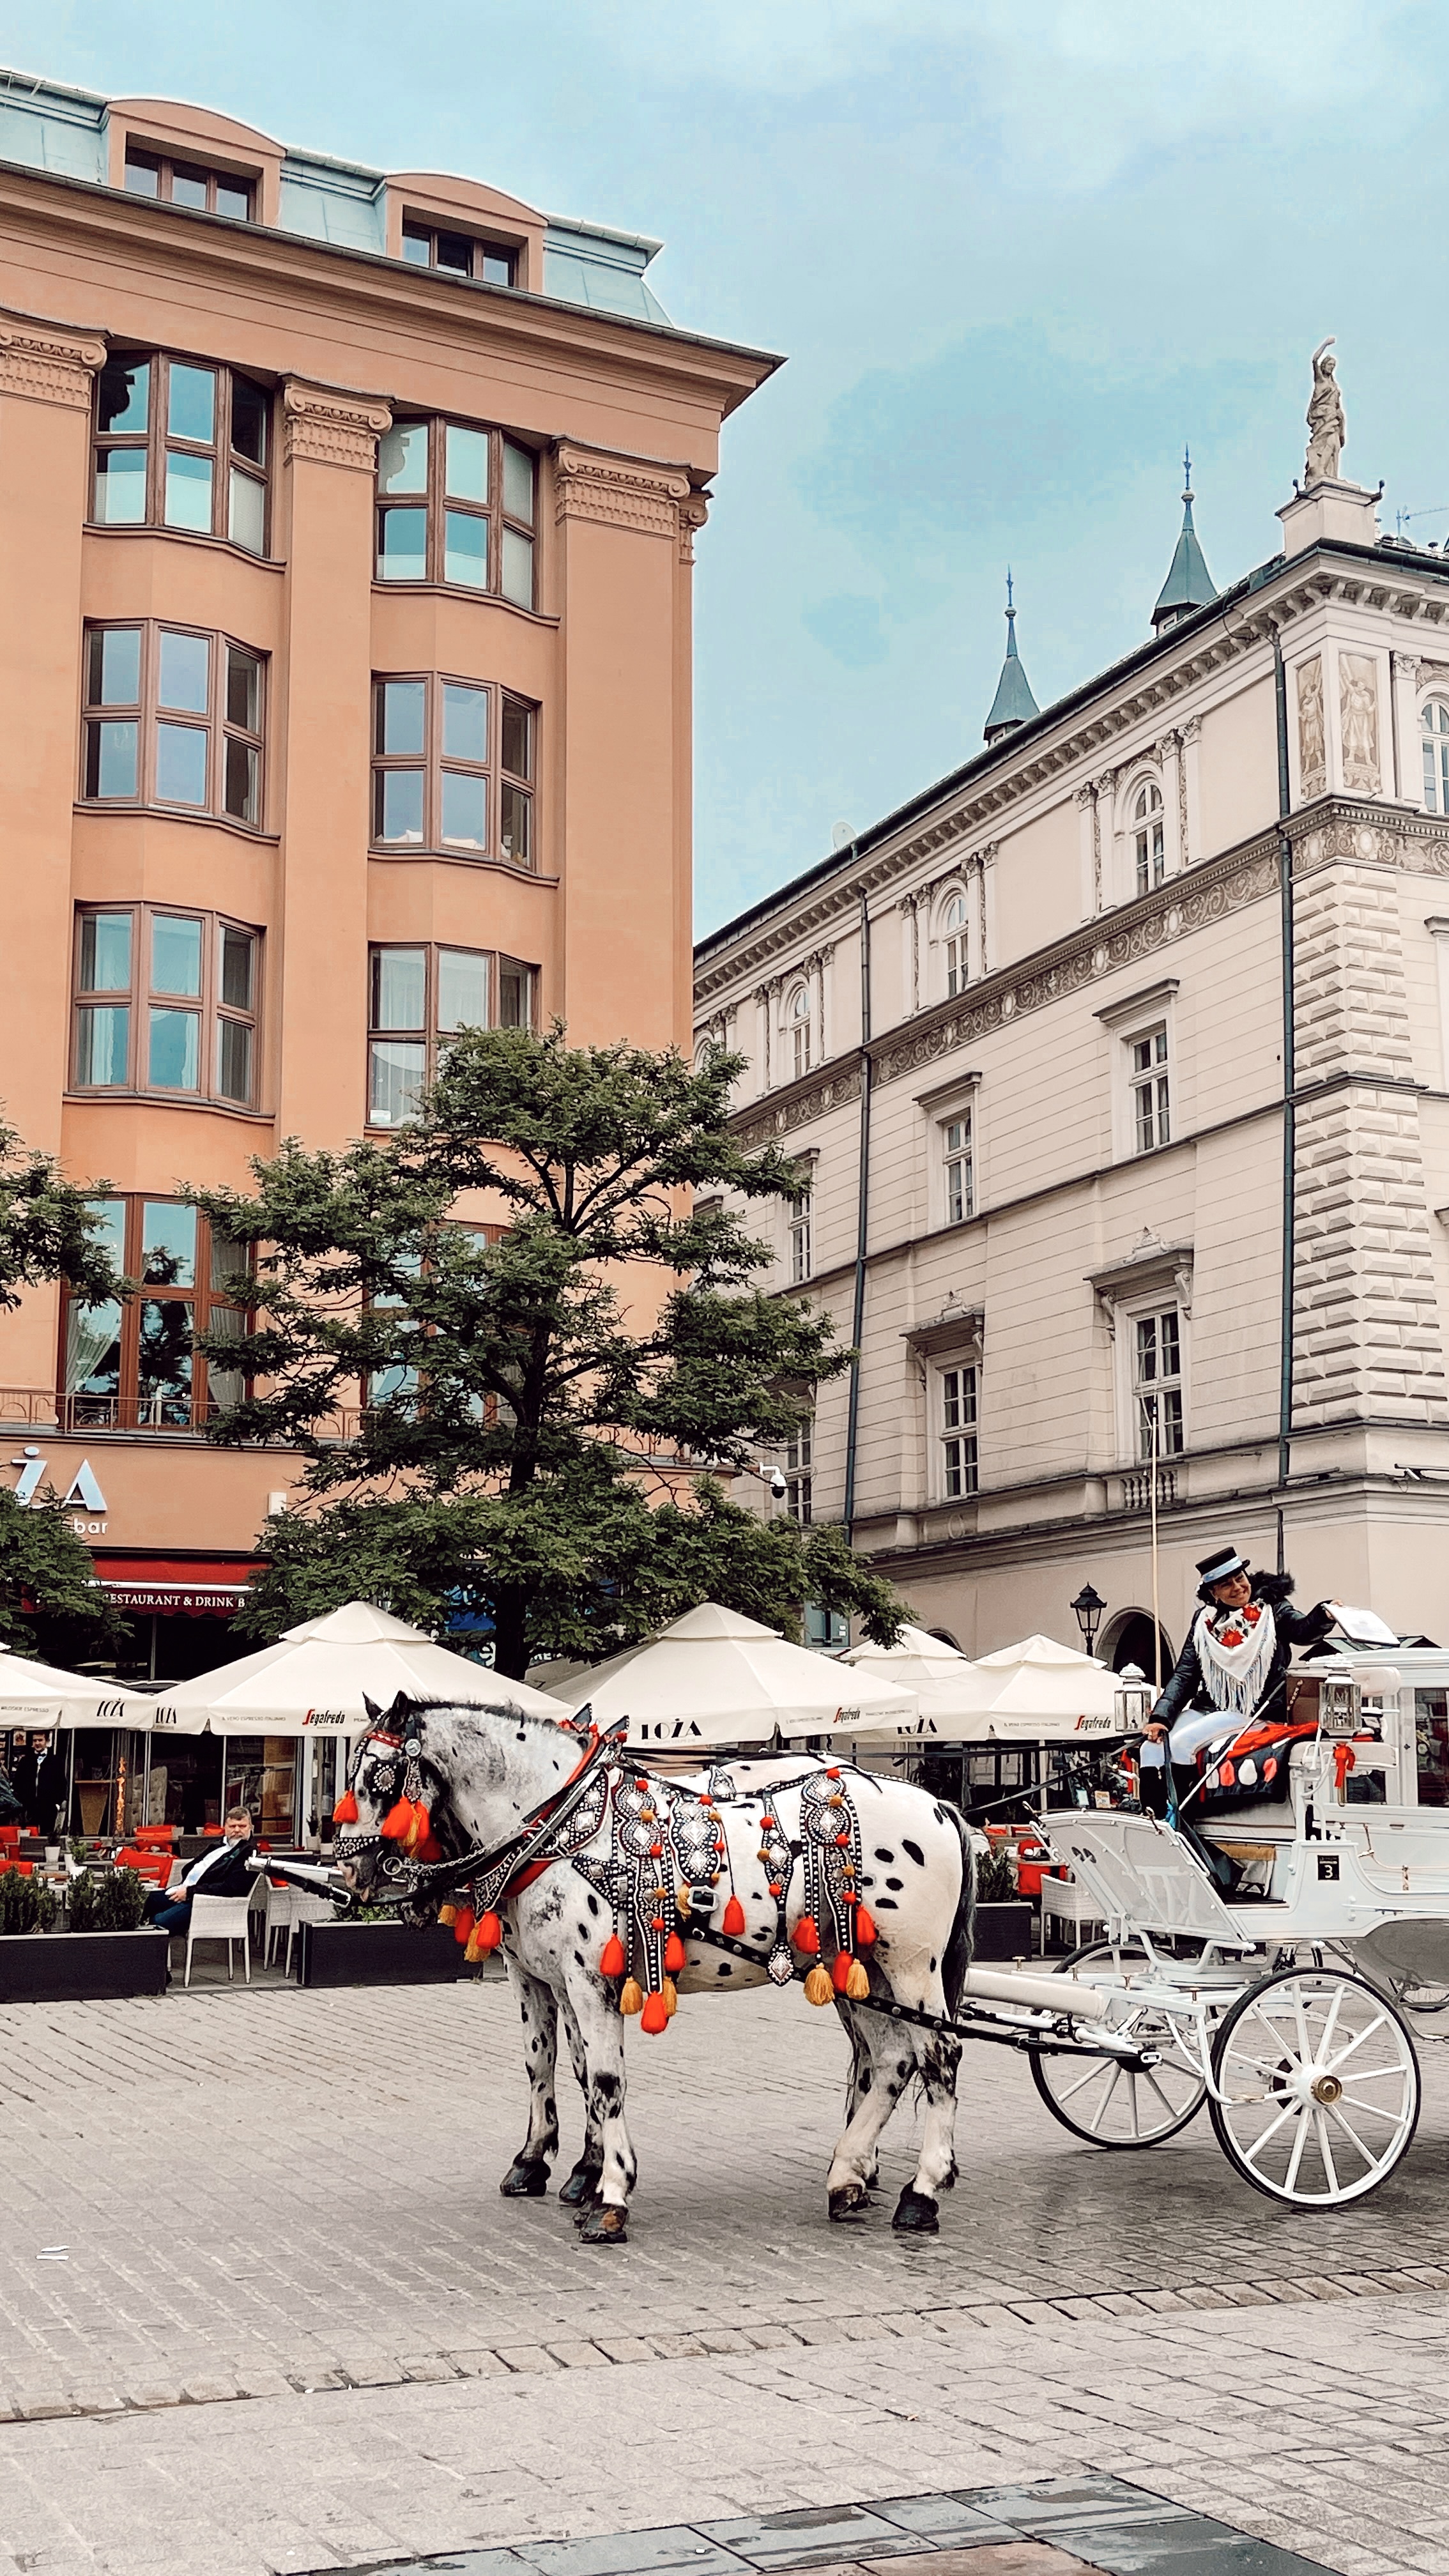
[(721, 1678)]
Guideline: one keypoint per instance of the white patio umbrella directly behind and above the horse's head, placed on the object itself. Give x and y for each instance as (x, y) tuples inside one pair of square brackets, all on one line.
[(318, 1678)]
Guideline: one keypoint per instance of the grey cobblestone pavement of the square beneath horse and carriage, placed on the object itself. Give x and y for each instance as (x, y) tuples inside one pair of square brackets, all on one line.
[(262, 2307)]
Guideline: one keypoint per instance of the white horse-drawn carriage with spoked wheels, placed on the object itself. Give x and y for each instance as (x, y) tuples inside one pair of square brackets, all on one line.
[(1285, 2008)]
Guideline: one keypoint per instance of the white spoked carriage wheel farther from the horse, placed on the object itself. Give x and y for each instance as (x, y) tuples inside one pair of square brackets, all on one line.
[(1319, 2088)]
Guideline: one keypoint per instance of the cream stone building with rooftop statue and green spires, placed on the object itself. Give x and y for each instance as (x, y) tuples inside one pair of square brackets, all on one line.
[(1120, 1063)]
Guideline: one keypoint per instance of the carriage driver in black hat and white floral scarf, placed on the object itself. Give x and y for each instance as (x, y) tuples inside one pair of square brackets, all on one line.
[(1231, 1673)]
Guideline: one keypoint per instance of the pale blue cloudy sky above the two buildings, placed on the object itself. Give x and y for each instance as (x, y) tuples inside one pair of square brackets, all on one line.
[(1015, 251)]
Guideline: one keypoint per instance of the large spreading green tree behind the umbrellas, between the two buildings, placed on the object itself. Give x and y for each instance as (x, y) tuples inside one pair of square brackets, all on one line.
[(538, 1390)]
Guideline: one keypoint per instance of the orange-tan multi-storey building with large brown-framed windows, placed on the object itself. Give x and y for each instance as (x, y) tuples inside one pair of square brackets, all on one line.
[(347, 630)]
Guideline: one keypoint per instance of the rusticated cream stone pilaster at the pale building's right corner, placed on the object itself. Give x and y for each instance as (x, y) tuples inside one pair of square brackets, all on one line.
[(1365, 1310)]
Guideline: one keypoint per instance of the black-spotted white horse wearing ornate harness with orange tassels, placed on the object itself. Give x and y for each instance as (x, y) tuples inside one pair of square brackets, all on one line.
[(641, 1889)]
